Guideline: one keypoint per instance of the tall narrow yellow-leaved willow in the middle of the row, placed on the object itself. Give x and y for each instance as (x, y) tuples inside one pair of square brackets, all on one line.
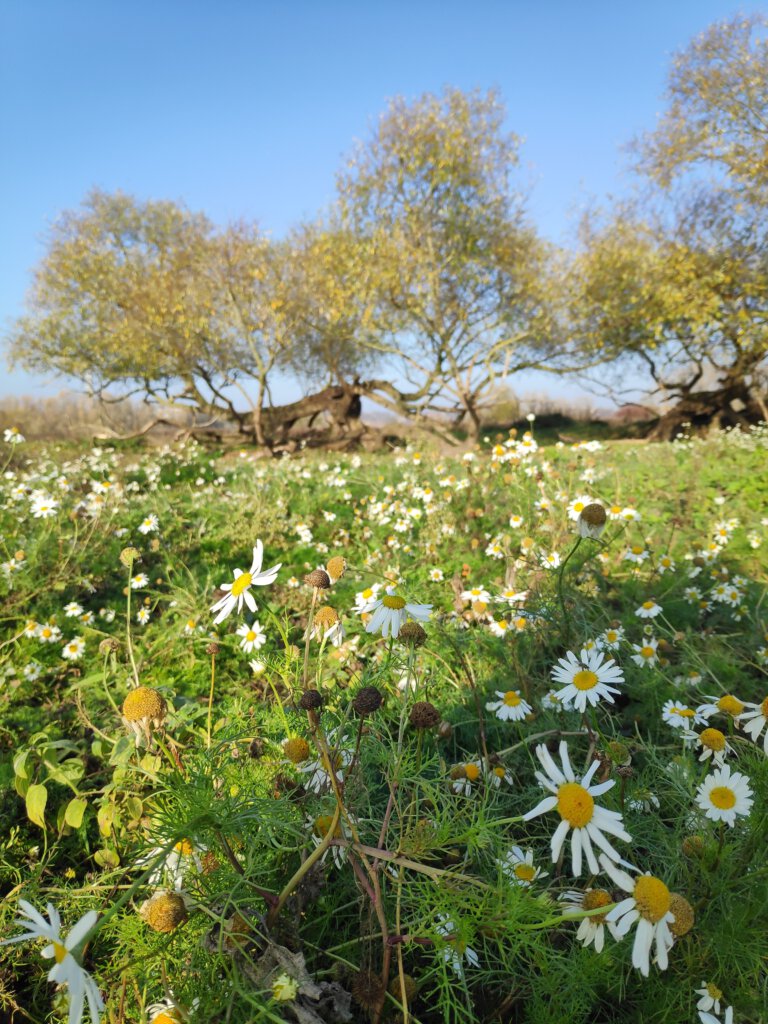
[(461, 276)]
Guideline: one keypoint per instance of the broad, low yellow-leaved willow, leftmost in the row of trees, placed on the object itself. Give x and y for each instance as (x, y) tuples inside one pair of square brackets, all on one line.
[(154, 300)]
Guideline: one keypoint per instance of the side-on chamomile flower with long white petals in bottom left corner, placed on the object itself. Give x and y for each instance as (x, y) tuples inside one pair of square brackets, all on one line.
[(66, 971)]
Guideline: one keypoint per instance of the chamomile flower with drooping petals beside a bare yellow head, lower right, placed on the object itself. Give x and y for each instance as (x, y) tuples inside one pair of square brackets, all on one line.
[(649, 906)]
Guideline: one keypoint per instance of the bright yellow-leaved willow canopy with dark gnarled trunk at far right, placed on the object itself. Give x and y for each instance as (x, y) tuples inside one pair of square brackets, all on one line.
[(680, 302)]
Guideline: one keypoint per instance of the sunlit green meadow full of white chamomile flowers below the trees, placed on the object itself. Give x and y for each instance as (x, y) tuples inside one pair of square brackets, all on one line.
[(287, 816)]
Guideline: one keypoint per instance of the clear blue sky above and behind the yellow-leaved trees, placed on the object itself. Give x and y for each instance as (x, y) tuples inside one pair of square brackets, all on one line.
[(246, 109)]
